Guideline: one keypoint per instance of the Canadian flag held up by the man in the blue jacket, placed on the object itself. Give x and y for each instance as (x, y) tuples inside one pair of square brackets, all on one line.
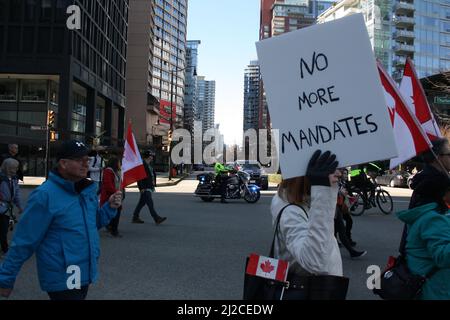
[(132, 167)]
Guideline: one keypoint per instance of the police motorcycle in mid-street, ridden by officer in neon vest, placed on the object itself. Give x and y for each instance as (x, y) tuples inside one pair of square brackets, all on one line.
[(238, 187)]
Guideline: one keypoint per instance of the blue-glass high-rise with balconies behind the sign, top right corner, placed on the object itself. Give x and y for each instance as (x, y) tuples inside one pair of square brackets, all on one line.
[(398, 29)]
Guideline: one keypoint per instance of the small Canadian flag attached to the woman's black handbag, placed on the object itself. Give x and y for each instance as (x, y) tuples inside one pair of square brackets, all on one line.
[(268, 268)]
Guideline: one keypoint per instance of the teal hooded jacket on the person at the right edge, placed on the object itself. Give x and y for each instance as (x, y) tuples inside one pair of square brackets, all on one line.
[(428, 246)]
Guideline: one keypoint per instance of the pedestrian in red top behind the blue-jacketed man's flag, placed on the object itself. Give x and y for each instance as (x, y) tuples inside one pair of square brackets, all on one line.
[(111, 185)]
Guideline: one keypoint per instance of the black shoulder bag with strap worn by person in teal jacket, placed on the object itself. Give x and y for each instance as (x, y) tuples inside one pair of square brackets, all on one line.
[(397, 282)]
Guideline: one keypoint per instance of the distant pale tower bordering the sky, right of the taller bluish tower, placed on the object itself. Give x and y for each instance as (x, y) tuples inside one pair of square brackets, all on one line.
[(206, 100)]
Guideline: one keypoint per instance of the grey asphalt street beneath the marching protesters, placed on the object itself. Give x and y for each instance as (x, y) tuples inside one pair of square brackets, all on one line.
[(199, 252)]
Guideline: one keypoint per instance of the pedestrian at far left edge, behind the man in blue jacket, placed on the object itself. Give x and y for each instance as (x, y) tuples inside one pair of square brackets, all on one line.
[(9, 196)]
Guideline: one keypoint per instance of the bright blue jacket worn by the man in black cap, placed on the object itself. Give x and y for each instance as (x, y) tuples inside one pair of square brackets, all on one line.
[(61, 226)]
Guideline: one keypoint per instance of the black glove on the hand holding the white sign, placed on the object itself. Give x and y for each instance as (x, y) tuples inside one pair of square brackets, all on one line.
[(320, 167)]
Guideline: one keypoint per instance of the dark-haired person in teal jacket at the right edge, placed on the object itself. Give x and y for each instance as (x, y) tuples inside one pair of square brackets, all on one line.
[(428, 237)]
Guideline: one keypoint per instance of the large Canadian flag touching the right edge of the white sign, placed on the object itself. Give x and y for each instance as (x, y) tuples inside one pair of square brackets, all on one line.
[(410, 138)]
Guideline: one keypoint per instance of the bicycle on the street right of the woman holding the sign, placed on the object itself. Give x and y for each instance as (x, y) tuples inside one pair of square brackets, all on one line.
[(359, 203)]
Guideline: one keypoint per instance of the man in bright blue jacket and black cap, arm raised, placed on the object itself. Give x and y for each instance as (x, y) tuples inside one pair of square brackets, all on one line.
[(60, 224)]
